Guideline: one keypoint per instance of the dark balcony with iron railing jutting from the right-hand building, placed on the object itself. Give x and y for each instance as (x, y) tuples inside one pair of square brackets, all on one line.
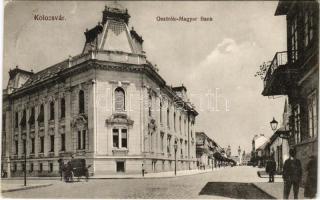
[(280, 75)]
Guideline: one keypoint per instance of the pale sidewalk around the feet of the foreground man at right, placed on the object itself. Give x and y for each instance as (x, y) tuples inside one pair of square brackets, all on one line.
[(276, 190)]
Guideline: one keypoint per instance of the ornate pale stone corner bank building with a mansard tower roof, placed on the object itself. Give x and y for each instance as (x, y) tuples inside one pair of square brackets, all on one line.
[(107, 105)]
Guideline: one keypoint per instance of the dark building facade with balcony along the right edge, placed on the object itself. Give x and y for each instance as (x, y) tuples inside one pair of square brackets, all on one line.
[(295, 73)]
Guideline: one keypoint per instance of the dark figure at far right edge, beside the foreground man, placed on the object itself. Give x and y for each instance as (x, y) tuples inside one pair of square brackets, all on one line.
[(310, 190)]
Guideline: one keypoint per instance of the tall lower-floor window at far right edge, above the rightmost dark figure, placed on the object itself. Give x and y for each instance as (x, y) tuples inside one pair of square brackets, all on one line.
[(312, 115)]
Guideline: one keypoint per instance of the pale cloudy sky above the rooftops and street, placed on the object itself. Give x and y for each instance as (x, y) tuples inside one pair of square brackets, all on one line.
[(216, 60)]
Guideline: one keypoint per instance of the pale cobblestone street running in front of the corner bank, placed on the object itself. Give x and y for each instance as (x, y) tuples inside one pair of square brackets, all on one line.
[(222, 183)]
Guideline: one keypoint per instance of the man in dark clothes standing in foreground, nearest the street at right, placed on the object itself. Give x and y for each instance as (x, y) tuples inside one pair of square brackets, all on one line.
[(292, 174)]
